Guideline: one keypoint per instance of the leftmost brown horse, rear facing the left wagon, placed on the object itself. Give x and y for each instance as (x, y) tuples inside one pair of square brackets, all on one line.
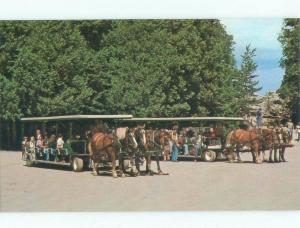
[(101, 149)]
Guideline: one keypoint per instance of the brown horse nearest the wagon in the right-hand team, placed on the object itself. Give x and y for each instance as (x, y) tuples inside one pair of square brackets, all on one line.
[(239, 138)]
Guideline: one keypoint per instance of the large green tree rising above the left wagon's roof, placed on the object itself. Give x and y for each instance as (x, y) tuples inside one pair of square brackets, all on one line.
[(55, 71)]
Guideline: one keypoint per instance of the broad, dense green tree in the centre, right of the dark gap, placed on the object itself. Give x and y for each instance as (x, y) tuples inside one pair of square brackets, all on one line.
[(168, 67)]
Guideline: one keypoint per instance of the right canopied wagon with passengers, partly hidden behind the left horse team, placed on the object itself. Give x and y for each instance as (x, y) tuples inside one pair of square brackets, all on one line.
[(213, 131)]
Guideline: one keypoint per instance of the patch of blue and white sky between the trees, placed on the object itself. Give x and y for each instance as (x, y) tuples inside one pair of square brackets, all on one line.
[(261, 34)]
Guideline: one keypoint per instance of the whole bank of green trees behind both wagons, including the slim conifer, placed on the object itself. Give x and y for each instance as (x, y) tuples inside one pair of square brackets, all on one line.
[(139, 67)]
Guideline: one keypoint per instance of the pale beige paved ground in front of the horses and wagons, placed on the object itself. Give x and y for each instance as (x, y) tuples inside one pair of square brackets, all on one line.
[(190, 186)]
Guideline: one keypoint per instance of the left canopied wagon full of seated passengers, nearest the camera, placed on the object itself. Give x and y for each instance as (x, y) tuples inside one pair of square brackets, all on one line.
[(74, 150)]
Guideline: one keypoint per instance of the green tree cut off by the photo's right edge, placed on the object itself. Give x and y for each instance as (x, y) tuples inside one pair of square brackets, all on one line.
[(290, 62)]
